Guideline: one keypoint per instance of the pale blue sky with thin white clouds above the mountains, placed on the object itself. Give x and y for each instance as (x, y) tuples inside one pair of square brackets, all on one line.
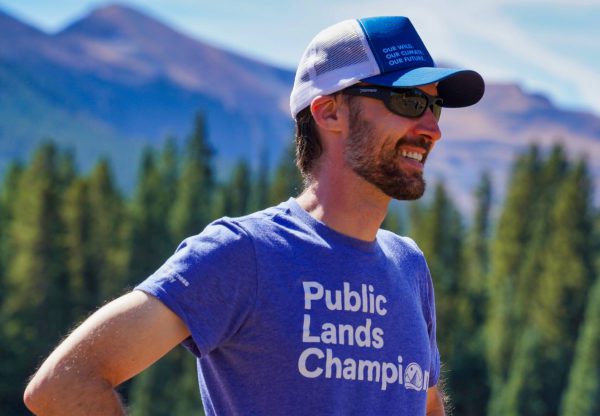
[(547, 46)]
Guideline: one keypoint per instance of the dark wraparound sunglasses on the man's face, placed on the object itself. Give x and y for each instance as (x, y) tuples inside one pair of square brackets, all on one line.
[(406, 102)]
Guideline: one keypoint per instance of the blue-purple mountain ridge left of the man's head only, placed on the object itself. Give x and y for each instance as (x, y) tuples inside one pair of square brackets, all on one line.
[(142, 97)]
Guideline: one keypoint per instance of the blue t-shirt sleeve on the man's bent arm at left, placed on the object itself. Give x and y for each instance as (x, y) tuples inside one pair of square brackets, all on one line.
[(210, 283)]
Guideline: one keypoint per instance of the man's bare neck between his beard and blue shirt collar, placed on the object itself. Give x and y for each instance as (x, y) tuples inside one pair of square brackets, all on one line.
[(347, 204)]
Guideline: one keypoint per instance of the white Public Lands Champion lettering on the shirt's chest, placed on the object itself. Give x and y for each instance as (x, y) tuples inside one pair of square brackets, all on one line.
[(323, 361)]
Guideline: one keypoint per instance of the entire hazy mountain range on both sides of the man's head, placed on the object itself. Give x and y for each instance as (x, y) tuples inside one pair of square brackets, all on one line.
[(118, 80)]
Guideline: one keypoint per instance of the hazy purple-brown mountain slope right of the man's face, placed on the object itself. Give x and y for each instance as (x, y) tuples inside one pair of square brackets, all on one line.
[(489, 135)]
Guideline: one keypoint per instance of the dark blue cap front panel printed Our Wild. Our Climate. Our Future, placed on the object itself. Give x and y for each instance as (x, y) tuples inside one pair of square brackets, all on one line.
[(395, 43)]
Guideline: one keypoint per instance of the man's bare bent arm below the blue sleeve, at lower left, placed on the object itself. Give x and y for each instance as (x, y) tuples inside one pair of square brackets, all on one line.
[(117, 342)]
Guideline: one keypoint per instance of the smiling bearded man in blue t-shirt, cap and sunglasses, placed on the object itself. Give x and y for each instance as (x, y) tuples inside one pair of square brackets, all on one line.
[(307, 307)]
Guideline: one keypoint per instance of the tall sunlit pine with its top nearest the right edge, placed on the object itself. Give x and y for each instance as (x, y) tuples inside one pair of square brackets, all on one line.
[(558, 304)]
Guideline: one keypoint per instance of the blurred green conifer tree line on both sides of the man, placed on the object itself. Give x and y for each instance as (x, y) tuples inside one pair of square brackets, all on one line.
[(517, 290)]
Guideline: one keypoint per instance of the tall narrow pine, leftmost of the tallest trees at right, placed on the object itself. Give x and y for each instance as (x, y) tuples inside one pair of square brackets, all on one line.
[(506, 314)]
